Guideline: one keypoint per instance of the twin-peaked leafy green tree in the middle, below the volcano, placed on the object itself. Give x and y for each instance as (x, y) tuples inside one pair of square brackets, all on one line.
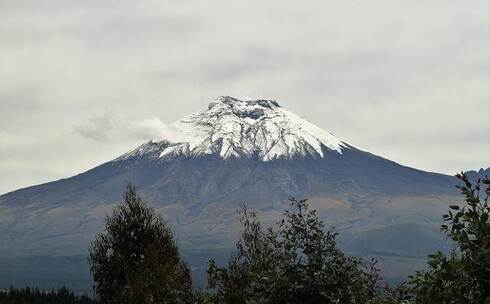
[(298, 262)]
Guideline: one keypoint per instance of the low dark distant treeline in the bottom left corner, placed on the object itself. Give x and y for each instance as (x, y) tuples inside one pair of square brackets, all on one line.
[(35, 296)]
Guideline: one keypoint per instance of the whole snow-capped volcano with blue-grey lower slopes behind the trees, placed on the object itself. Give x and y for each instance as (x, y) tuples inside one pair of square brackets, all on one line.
[(236, 152)]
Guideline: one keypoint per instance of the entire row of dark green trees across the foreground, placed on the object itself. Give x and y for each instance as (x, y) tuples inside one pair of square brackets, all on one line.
[(137, 260)]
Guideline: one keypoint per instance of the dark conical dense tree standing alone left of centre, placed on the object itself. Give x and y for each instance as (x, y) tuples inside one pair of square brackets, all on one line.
[(136, 259)]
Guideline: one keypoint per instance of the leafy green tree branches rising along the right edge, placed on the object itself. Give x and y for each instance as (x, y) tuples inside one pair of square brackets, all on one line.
[(464, 275)]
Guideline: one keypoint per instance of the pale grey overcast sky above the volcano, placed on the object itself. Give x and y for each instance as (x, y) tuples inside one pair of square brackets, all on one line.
[(82, 82)]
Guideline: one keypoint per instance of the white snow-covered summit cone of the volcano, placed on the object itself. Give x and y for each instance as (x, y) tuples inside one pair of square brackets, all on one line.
[(230, 127)]
